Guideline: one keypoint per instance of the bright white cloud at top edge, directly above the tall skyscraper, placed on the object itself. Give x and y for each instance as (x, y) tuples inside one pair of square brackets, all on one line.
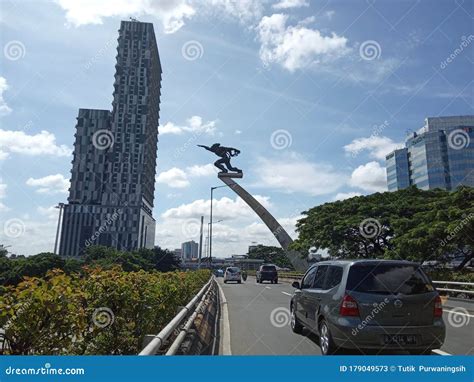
[(172, 13)]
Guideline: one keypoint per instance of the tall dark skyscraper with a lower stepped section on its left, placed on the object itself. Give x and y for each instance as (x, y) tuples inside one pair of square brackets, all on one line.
[(113, 169)]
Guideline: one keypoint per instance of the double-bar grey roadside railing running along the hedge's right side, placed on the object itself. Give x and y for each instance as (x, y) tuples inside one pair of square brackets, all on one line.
[(159, 340)]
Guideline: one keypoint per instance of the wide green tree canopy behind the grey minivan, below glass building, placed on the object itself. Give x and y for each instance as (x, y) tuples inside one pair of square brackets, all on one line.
[(410, 224)]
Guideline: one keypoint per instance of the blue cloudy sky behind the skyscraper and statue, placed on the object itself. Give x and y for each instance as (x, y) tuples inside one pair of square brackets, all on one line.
[(313, 93)]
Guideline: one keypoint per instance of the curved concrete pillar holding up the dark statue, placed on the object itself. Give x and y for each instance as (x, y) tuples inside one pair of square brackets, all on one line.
[(277, 230)]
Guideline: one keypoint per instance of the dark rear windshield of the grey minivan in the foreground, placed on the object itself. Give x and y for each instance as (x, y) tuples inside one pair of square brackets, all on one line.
[(388, 279)]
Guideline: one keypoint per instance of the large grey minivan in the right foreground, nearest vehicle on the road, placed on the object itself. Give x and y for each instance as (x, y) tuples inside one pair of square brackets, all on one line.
[(369, 304)]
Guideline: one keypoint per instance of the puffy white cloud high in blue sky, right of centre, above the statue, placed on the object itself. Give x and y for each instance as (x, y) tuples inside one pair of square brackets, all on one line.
[(295, 47)]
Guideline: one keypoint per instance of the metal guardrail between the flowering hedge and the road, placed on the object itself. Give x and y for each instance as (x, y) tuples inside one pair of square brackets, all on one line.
[(159, 340)]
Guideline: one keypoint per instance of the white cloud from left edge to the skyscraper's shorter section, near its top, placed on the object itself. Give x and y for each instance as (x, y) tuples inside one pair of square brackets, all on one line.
[(19, 142)]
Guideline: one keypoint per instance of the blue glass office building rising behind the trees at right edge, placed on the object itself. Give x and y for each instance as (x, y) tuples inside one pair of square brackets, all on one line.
[(439, 155)]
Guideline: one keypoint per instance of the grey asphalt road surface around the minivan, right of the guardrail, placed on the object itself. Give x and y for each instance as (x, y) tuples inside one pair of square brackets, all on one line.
[(259, 322)]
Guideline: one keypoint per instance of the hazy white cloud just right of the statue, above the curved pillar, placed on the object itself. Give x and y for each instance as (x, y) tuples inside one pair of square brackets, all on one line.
[(295, 174)]
